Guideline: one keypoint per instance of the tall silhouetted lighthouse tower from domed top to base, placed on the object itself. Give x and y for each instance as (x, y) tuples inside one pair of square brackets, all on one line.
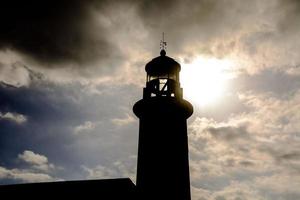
[(163, 165)]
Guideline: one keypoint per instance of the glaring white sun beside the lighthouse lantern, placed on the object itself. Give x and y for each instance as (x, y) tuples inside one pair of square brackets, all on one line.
[(204, 80)]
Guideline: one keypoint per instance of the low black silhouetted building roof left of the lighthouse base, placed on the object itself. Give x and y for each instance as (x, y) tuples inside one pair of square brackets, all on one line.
[(112, 189)]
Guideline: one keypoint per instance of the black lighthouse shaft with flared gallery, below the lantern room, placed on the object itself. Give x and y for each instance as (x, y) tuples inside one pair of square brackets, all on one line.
[(163, 166)]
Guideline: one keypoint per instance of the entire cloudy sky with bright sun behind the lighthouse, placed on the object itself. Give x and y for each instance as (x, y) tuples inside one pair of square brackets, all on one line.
[(70, 73)]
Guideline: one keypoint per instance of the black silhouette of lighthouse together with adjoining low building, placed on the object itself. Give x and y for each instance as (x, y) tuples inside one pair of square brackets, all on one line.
[(163, 166)]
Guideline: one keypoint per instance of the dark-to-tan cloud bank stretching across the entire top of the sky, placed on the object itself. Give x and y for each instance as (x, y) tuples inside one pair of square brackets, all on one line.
[(102, 39)]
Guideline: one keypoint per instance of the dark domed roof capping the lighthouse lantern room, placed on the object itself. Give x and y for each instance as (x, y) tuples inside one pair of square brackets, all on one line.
[(162, 65)]
